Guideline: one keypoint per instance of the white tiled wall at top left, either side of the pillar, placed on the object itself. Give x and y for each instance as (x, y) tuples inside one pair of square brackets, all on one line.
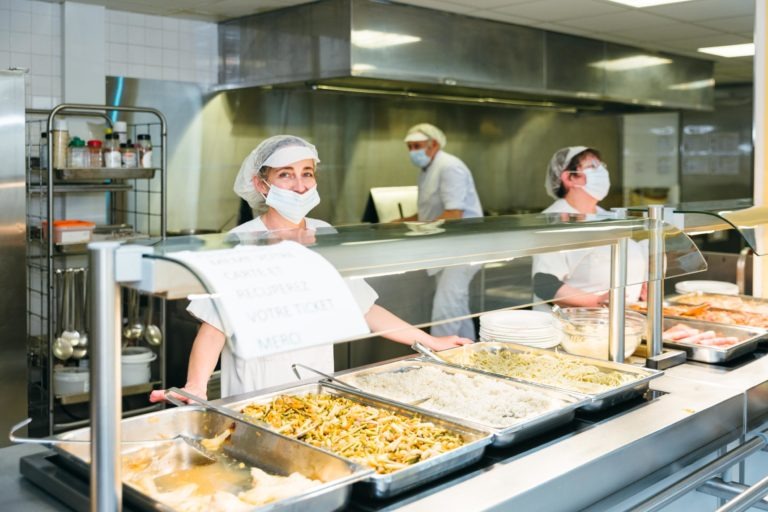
[(137, 46)]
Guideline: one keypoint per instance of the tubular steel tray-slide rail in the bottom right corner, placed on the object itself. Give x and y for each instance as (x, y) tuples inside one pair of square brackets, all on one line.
[(742, 497)]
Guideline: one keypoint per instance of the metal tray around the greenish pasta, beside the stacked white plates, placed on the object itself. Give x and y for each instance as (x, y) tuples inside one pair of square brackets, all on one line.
[(641, 377)]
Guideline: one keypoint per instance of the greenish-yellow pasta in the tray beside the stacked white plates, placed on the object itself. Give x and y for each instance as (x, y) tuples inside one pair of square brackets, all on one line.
[(550, 369)]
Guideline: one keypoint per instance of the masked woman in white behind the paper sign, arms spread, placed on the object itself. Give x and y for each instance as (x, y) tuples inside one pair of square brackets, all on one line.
[(281, 172)]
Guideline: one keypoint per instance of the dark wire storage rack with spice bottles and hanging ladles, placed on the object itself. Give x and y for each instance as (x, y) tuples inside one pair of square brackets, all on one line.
[(134, 207)]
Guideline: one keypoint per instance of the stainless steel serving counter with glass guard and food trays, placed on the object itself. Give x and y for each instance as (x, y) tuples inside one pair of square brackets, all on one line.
[(606, 447)]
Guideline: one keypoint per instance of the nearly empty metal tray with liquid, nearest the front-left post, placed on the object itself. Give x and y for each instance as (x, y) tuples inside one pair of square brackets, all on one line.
[(249, 444)]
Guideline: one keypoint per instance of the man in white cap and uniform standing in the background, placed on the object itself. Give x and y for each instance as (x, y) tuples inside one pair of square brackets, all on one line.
[(446, 191)]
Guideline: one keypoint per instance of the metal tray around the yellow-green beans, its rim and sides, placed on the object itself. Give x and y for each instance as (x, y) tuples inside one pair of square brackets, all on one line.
[(384, 486)]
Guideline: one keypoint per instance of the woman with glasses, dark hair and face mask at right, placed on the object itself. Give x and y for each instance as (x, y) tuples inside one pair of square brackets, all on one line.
[(577, 179)]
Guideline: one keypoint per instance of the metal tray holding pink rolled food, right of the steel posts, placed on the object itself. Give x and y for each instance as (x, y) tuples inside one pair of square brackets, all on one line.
[(748, 340)]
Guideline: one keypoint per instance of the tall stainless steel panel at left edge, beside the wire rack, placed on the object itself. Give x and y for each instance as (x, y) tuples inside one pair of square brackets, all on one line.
[(13, 230)]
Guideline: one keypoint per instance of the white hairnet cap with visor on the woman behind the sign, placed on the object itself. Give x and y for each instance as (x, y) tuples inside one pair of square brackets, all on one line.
[(276, 151)]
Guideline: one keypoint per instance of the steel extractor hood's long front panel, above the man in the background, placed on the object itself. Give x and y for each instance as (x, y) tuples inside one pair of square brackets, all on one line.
[(451, 49)]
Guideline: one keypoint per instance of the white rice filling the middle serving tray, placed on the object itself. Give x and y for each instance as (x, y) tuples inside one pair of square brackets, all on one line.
[(477, 398)]
